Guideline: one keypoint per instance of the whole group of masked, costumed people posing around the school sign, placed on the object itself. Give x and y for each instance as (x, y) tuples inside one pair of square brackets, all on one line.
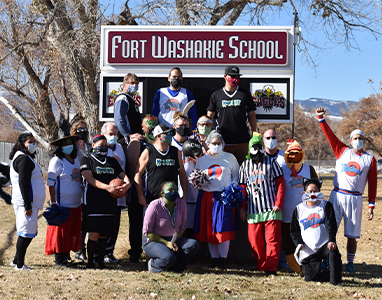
[(188, 183)]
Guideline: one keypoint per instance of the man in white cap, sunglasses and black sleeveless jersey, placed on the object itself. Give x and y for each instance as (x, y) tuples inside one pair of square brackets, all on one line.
[(162, 162)]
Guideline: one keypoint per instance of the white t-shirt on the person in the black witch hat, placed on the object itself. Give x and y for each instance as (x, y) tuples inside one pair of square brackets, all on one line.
[(66, 179)]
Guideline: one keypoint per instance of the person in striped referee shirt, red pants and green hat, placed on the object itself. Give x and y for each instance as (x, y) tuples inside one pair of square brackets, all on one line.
[(263, 183)]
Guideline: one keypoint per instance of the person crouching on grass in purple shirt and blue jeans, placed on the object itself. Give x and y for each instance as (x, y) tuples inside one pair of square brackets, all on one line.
[(163, 226)]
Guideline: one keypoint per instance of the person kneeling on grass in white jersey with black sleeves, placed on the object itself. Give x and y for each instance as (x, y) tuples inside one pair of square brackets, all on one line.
[(313, 230)]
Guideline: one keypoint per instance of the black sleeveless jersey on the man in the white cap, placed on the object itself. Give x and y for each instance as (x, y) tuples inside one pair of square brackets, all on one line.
[(160, 167)]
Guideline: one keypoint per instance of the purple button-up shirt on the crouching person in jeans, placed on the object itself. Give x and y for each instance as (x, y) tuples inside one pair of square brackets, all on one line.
[(158, 220)]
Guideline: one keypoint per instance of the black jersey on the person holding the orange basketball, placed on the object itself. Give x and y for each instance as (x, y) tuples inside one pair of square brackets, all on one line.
[(99, 201)]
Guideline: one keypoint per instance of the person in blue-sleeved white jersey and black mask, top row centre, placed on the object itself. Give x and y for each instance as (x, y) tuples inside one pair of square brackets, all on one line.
[(173, 98)]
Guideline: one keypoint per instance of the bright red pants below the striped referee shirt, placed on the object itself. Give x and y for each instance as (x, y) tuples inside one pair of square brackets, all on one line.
[(265, 239)]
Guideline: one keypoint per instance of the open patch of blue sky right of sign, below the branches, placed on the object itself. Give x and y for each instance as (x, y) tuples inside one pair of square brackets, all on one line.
[(342, 75)]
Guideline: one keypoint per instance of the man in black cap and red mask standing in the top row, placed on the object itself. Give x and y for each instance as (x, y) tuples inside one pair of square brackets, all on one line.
[(234, 107)]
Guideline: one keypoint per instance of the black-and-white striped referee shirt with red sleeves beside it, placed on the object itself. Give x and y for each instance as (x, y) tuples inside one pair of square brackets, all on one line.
[(260, 181)]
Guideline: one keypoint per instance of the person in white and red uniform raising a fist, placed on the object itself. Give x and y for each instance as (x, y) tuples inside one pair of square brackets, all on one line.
[(354, 167)]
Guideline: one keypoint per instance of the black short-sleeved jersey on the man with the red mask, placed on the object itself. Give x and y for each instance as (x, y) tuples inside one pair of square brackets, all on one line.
[(232, 109)]
